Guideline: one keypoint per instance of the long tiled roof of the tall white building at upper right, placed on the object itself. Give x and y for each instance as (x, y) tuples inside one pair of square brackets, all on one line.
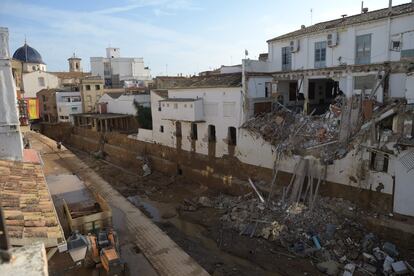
[(350, 20)]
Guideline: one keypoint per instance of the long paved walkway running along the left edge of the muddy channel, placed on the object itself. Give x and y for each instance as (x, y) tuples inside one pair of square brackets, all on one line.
[(165, 255)]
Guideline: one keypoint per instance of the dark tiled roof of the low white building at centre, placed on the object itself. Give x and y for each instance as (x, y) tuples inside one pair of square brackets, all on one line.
[(210, 81)]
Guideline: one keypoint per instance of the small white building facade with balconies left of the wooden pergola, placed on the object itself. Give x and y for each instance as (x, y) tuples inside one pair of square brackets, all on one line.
[(68, 103)]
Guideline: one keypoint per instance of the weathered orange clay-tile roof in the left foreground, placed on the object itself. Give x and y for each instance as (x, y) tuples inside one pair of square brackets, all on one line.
[(28, 207)]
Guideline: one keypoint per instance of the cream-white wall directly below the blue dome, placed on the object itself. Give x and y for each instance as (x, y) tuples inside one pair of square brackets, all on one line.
[(32, 83)]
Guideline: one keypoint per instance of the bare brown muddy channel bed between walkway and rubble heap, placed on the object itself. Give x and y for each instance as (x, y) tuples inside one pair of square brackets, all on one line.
[(199, 231)]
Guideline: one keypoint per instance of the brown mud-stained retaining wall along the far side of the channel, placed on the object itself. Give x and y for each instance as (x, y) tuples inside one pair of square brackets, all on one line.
[(226, 174)]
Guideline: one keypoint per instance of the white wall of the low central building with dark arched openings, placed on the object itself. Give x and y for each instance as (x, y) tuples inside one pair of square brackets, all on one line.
[(222, 108)]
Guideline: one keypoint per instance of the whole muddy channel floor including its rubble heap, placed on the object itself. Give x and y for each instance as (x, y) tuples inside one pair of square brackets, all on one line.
[(231, 235)]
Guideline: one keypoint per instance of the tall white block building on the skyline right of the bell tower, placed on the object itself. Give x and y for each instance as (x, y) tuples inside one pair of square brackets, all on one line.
[(116, 69)]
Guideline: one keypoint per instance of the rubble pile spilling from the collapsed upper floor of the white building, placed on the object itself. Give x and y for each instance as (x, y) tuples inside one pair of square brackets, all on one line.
[(293, 132)]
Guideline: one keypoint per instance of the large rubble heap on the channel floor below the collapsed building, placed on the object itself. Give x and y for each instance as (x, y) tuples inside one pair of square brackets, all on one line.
[(329, 233)]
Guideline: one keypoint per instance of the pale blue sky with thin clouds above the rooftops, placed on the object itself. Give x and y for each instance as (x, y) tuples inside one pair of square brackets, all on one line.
[(173, 36)]
